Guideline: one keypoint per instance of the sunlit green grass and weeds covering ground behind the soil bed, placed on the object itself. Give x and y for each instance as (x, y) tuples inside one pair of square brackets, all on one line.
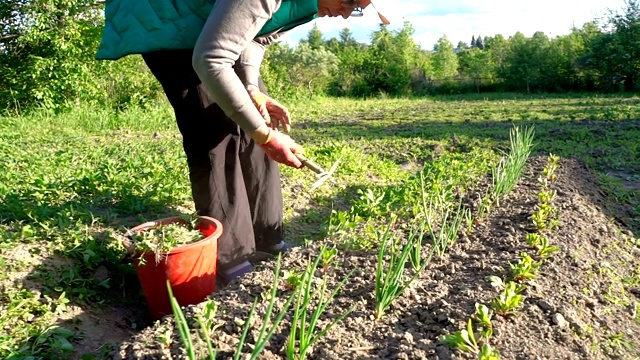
[(71, 182)]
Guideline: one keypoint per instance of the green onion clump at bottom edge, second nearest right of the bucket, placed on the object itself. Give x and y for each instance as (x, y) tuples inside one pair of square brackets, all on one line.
[(303, 328)]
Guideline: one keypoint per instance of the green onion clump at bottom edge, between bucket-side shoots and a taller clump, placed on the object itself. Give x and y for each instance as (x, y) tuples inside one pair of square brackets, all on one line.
[(265, 332)]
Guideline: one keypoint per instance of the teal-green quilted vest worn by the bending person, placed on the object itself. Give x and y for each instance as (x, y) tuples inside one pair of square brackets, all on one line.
[(140, 26)]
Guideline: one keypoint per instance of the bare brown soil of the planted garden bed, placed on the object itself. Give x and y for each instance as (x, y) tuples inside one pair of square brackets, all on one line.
[(582, 305)]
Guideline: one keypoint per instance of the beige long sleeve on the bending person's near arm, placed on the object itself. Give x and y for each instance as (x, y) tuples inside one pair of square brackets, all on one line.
[(227, 39)]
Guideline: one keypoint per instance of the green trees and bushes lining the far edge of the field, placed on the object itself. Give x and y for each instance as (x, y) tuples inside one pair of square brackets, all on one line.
[(47, 51)]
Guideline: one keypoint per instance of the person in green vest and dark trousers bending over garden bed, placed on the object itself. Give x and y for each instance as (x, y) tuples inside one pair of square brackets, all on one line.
[(207, 58)]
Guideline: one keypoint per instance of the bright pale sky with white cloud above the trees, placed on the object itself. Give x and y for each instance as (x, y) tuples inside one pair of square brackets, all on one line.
[(461, 19)]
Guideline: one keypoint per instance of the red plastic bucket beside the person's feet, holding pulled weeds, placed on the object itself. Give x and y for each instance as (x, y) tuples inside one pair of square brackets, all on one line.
[(190, 268)]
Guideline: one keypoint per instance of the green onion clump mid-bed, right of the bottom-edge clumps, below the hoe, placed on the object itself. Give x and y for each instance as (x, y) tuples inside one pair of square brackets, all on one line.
[(390, 280)]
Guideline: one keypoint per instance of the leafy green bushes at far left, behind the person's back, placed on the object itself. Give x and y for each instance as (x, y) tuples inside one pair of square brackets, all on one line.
[(48, 59)]
